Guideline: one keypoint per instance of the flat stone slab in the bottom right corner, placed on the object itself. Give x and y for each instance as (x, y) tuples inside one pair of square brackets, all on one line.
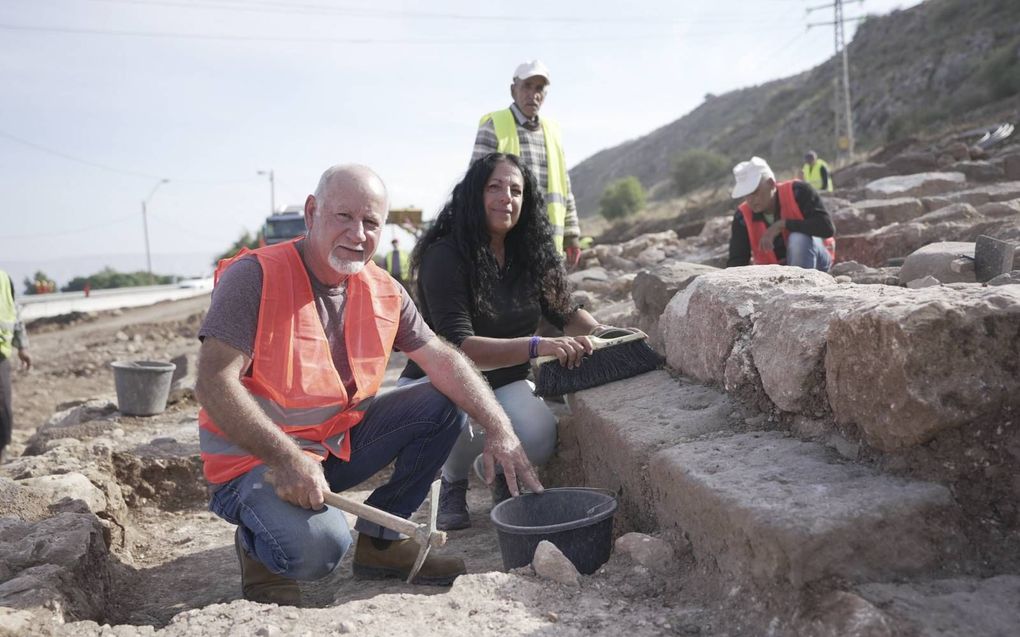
[(951, 608)]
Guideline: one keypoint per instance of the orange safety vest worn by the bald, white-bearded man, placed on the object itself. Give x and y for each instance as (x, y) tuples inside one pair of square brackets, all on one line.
[(293, 378)]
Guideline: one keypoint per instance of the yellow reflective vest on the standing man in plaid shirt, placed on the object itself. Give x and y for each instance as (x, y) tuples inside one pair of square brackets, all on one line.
[(505, 126)]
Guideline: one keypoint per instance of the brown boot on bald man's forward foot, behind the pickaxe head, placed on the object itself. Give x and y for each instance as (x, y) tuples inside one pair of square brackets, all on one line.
[(377, 560)]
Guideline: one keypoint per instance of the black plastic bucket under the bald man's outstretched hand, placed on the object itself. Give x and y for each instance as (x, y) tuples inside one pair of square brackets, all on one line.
[(579, 521)]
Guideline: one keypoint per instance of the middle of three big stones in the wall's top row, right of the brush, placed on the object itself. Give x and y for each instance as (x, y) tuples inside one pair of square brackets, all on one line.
[(788, 344)]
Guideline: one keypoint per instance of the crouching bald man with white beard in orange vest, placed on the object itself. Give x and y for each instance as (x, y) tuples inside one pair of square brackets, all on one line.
[(294, 349)]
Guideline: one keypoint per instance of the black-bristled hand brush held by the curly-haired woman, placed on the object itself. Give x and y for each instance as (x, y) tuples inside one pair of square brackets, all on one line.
[(613, 359)]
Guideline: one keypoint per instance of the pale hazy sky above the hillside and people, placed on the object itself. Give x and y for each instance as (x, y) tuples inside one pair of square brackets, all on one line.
[(103, 99)]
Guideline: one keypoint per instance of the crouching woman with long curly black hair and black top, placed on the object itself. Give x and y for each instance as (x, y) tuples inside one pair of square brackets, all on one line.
[(488, 272)]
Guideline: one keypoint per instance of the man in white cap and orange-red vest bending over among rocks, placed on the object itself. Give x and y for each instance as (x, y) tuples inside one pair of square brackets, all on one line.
[(779, 224)]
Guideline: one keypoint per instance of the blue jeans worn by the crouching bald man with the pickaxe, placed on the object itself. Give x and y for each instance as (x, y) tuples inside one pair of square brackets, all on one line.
[(417, 427)]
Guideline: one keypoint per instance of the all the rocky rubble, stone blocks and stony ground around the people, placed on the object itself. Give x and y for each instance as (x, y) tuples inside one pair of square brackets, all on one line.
[(826, 455)]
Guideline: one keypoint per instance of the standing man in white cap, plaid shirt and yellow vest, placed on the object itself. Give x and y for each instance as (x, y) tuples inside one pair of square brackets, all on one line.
[(519, 131)]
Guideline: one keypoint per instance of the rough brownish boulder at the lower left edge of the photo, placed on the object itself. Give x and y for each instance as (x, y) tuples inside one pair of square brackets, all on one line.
[(61, 564)]
